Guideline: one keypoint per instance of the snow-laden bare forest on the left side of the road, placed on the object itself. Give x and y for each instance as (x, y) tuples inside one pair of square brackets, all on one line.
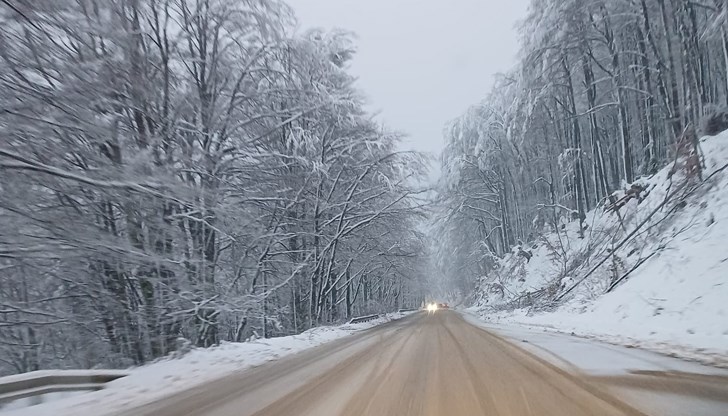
[(180, 173)]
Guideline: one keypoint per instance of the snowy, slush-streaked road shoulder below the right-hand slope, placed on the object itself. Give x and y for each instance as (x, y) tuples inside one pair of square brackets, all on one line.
[(651, 382)]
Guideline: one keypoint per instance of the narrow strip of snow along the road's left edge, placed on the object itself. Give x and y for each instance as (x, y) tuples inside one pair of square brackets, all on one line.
[(167, 376)]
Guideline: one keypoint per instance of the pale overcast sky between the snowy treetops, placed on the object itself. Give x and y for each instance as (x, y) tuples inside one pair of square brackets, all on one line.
[(422, 62)]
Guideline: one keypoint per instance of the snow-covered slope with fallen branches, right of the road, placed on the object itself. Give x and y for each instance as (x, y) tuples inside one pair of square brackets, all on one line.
[(668, 279)]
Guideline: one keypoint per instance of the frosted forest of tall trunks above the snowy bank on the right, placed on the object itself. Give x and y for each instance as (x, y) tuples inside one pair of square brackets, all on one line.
[(604, 92)]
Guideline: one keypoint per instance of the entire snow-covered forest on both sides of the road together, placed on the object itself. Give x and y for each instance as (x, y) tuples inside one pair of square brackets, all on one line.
[(181, 173)]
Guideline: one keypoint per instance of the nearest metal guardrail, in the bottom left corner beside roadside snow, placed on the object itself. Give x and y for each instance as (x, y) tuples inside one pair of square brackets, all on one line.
[(38, 383)]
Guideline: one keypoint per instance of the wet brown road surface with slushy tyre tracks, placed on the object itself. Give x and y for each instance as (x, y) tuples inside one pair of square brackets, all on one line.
[(428, 364)]
